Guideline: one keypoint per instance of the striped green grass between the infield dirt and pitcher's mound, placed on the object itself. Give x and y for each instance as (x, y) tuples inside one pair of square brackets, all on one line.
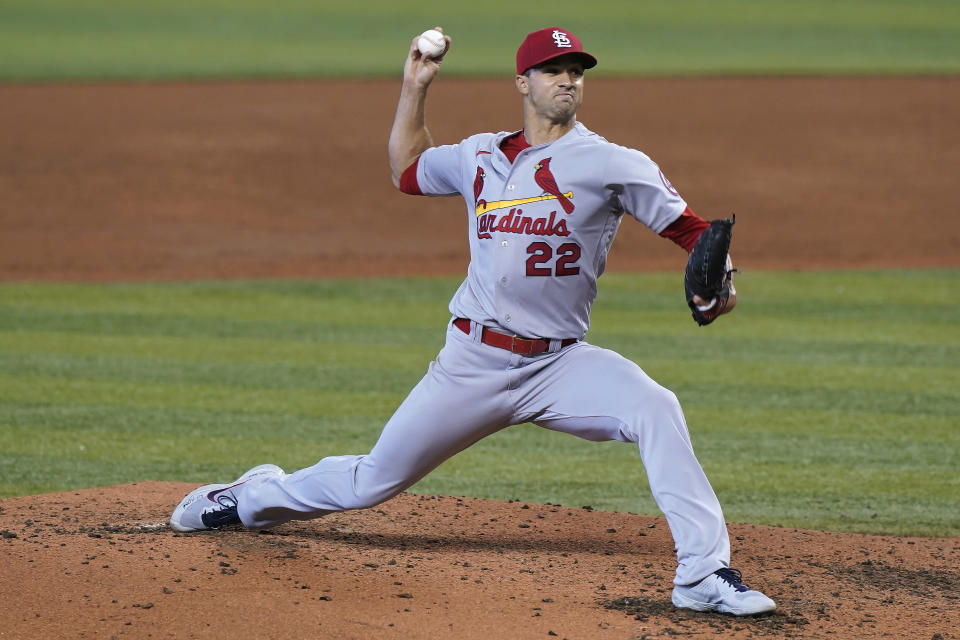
[(829, 400)]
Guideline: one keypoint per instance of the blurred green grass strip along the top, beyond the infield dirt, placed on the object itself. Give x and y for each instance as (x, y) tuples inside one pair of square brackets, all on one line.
[(138, 39)]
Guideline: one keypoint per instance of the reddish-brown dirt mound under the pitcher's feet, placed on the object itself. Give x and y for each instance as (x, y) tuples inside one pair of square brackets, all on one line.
[(102, 563)]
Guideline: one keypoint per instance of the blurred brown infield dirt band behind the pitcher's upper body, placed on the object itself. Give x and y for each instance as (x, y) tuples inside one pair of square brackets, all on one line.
[(130, 182)]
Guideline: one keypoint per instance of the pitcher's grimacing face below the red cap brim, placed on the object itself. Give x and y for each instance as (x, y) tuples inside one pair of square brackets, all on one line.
[(554, 89)]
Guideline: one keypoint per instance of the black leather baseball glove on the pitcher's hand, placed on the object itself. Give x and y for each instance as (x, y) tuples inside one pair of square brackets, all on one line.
[(709, 273)]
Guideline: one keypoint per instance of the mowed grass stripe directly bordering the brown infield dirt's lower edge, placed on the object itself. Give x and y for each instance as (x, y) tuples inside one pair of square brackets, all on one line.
[(893, 293)]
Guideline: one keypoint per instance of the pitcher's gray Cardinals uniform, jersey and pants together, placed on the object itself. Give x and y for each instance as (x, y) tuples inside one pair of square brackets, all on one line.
[(540, 229)]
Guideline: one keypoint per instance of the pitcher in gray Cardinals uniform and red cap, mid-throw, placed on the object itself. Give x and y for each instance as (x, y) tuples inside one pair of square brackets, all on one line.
[(543, 205)]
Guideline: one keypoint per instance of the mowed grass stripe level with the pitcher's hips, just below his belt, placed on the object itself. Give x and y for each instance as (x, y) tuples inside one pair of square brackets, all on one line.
[(401, 372)]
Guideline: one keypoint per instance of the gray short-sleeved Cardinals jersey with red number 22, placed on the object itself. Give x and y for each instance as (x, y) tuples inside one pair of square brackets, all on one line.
[(541, 227)]
